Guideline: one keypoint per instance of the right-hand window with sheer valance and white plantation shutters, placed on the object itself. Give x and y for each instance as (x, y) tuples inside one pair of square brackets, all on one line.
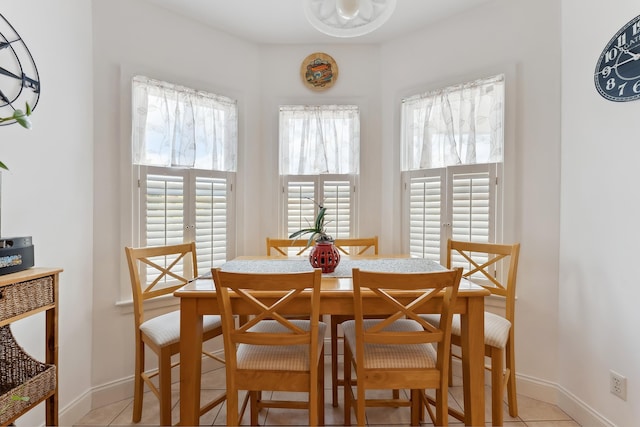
[(452, 156)]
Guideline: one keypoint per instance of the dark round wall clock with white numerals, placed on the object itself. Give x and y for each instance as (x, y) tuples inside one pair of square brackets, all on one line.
[(617, 75)]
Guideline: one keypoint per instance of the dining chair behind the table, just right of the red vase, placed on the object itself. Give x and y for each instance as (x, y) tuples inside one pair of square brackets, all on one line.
[(353, 246)]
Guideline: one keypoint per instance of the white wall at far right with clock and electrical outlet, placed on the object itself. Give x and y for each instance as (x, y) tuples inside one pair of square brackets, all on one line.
[(600, 203)]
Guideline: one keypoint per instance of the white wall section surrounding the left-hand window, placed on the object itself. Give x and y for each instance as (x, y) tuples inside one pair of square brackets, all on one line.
[(131, 38)]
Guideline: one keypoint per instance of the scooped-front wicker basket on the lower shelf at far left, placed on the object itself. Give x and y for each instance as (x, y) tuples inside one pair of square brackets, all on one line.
[(21, 375)]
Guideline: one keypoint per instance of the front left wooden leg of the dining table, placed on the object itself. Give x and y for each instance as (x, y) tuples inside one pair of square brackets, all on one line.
[(190, 362)]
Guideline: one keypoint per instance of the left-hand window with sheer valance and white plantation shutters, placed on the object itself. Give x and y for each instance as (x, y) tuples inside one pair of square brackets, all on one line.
[(184, 146)]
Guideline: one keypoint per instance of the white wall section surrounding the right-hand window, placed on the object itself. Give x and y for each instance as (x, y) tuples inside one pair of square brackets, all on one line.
[(483, 42)]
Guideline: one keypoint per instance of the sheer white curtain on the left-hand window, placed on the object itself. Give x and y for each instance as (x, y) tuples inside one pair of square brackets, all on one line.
[(175, 126)]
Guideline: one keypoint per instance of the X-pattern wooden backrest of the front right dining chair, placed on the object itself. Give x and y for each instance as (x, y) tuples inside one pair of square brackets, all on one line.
[(405, 295)]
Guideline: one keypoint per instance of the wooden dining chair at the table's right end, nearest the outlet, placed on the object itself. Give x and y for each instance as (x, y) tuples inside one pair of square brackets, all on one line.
[(494, 267)]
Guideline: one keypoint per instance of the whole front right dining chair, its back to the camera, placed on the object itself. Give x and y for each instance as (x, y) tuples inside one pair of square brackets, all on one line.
[(397, 351)]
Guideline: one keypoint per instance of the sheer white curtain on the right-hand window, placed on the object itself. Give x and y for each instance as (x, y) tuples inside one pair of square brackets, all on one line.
[(460, 124)]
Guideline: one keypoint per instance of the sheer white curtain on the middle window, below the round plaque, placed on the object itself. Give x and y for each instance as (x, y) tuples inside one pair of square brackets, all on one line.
[(319, 139)]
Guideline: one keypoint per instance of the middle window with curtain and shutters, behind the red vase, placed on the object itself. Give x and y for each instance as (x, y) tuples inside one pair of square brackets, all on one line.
[(319, 162)]
